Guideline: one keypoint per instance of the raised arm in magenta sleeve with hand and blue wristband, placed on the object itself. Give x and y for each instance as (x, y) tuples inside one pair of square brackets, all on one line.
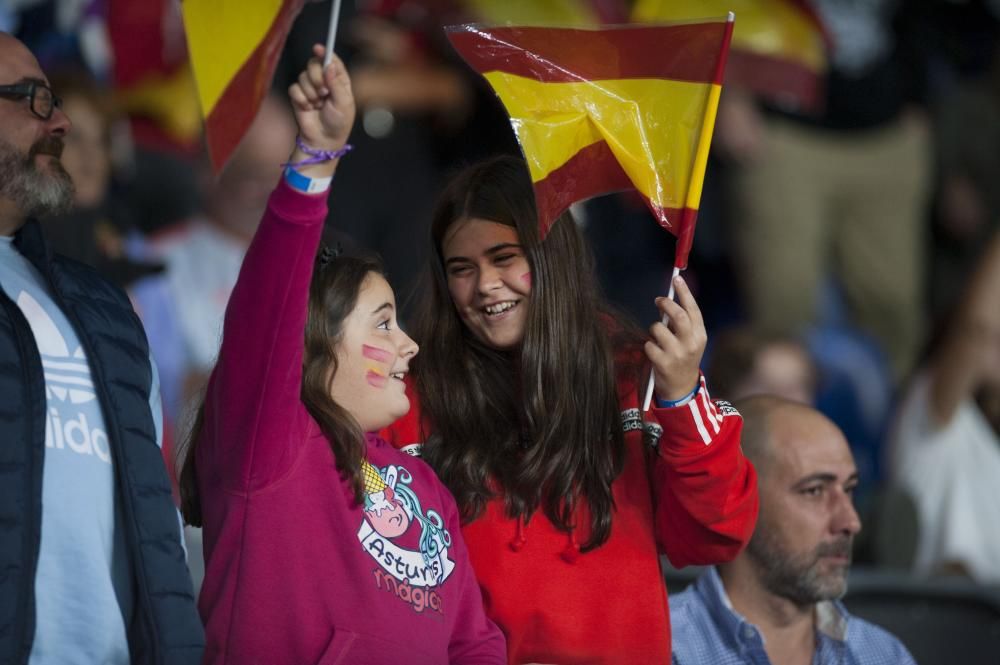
[(254, 421)]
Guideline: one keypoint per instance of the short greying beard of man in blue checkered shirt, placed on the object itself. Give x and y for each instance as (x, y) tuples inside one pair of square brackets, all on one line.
[(799, 577)]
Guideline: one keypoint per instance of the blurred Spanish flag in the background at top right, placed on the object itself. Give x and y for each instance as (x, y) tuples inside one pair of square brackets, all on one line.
[(779, 46)]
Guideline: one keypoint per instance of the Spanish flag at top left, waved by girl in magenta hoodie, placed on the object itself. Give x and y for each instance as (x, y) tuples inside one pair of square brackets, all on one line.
[(234, 47)]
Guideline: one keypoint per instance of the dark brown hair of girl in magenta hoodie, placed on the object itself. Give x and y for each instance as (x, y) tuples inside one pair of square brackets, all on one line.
[(333, 293)]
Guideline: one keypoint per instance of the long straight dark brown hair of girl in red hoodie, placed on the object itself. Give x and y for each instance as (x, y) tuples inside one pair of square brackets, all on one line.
[(541, 424)]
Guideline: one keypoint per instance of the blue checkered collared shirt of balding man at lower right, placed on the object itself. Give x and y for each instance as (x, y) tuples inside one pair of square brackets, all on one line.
[(706, 629)]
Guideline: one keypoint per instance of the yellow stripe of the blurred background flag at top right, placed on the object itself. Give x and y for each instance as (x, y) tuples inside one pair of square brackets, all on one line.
[(774, 28)]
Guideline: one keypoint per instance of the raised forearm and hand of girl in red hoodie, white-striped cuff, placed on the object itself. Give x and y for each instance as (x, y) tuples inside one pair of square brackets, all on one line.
[(705, 490)]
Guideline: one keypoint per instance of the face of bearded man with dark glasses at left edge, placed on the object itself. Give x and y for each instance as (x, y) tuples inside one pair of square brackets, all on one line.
[(32, 179)]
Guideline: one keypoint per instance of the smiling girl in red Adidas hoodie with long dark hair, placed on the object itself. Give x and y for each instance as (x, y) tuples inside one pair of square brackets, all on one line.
[(528, 390)]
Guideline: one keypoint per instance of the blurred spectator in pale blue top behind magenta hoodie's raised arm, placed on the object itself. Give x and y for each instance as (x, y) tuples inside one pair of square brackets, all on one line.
[(183, 308)]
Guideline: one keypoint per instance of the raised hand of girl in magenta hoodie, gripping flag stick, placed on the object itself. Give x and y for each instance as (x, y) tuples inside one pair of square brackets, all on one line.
[(323, 103)]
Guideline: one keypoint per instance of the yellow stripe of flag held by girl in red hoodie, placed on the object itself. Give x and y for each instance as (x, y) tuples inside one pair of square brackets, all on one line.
[(651, 125)]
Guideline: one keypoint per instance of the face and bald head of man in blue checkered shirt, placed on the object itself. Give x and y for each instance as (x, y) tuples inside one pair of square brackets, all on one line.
[(802, 542)]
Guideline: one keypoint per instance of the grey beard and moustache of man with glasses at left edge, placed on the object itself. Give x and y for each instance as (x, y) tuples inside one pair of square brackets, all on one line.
[(35, 192)]
